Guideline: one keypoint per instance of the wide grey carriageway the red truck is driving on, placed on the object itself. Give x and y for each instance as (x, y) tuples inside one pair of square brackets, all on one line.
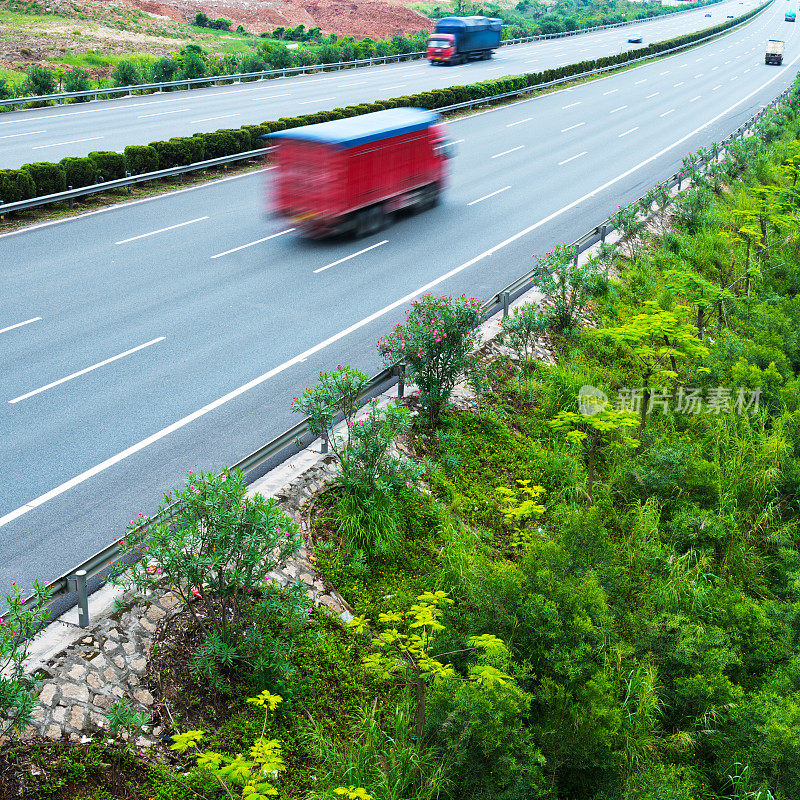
[(171, 333)]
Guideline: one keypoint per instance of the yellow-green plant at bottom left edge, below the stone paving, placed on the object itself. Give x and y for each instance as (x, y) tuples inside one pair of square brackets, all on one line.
[(255, 775)]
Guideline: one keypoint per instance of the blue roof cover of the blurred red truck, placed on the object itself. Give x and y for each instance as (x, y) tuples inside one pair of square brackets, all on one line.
[(354, 131)]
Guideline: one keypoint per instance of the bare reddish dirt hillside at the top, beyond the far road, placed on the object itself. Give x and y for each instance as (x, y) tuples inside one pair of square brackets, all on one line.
[(357, 18)]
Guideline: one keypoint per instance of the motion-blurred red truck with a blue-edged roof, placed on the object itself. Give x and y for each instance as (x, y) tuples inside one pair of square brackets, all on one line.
[(351, 174)]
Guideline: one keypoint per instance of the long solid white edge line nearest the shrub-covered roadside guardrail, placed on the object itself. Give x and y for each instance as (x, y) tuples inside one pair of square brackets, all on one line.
[(141, 445)]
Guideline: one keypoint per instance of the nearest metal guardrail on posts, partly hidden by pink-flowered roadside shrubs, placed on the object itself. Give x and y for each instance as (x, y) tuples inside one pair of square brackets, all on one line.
[(75, 580)]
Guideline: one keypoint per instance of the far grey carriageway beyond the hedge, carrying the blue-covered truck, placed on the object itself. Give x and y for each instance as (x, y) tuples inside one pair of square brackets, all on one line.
[(49, 134)]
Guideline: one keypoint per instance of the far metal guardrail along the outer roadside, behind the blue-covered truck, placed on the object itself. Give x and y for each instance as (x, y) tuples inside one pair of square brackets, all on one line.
[(189, 83)]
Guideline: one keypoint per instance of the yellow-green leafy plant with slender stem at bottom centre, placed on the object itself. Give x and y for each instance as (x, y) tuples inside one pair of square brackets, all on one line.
[(403, 652)]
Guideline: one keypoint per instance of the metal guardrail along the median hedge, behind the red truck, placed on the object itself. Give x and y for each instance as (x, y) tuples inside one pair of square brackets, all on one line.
[(71, 194)]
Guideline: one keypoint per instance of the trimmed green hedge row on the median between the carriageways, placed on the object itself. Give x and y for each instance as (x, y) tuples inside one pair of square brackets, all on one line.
[(43, 178)]
